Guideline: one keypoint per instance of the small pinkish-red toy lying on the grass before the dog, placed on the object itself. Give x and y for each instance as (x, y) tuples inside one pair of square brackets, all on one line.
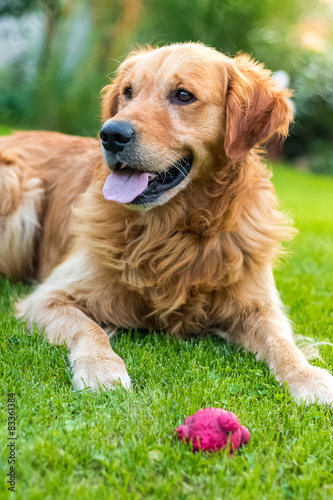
[(210, 429)]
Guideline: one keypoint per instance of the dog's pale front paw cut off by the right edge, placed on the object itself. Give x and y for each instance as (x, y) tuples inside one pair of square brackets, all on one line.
[(312, 385)]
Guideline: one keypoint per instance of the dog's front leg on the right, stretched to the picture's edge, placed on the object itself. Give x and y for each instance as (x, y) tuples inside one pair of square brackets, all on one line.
[(267, 333)]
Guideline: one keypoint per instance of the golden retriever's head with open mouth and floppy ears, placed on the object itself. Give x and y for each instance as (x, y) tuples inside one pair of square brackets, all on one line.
[(175, 112)]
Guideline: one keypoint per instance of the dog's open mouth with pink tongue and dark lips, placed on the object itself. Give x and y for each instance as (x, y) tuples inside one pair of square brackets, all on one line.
[(129, 185)]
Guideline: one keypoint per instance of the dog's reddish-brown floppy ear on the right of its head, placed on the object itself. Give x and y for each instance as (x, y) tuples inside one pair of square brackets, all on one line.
[(256, 108)]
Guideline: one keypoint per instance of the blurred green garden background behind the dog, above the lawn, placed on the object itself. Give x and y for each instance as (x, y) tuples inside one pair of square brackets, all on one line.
[(56, 55)]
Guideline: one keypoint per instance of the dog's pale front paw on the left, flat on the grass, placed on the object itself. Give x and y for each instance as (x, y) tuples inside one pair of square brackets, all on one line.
[(99, 373)]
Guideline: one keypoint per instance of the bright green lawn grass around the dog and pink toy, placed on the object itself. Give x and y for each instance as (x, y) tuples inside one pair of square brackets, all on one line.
[(122, 445)]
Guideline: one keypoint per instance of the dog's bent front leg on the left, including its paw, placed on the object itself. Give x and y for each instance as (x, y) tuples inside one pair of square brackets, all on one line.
[(95, 364)]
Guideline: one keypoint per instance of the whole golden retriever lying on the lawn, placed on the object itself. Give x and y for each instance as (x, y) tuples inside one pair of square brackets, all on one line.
[(171, 223)]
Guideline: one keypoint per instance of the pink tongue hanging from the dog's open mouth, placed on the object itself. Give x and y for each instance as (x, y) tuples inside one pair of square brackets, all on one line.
[(124, 186)]
